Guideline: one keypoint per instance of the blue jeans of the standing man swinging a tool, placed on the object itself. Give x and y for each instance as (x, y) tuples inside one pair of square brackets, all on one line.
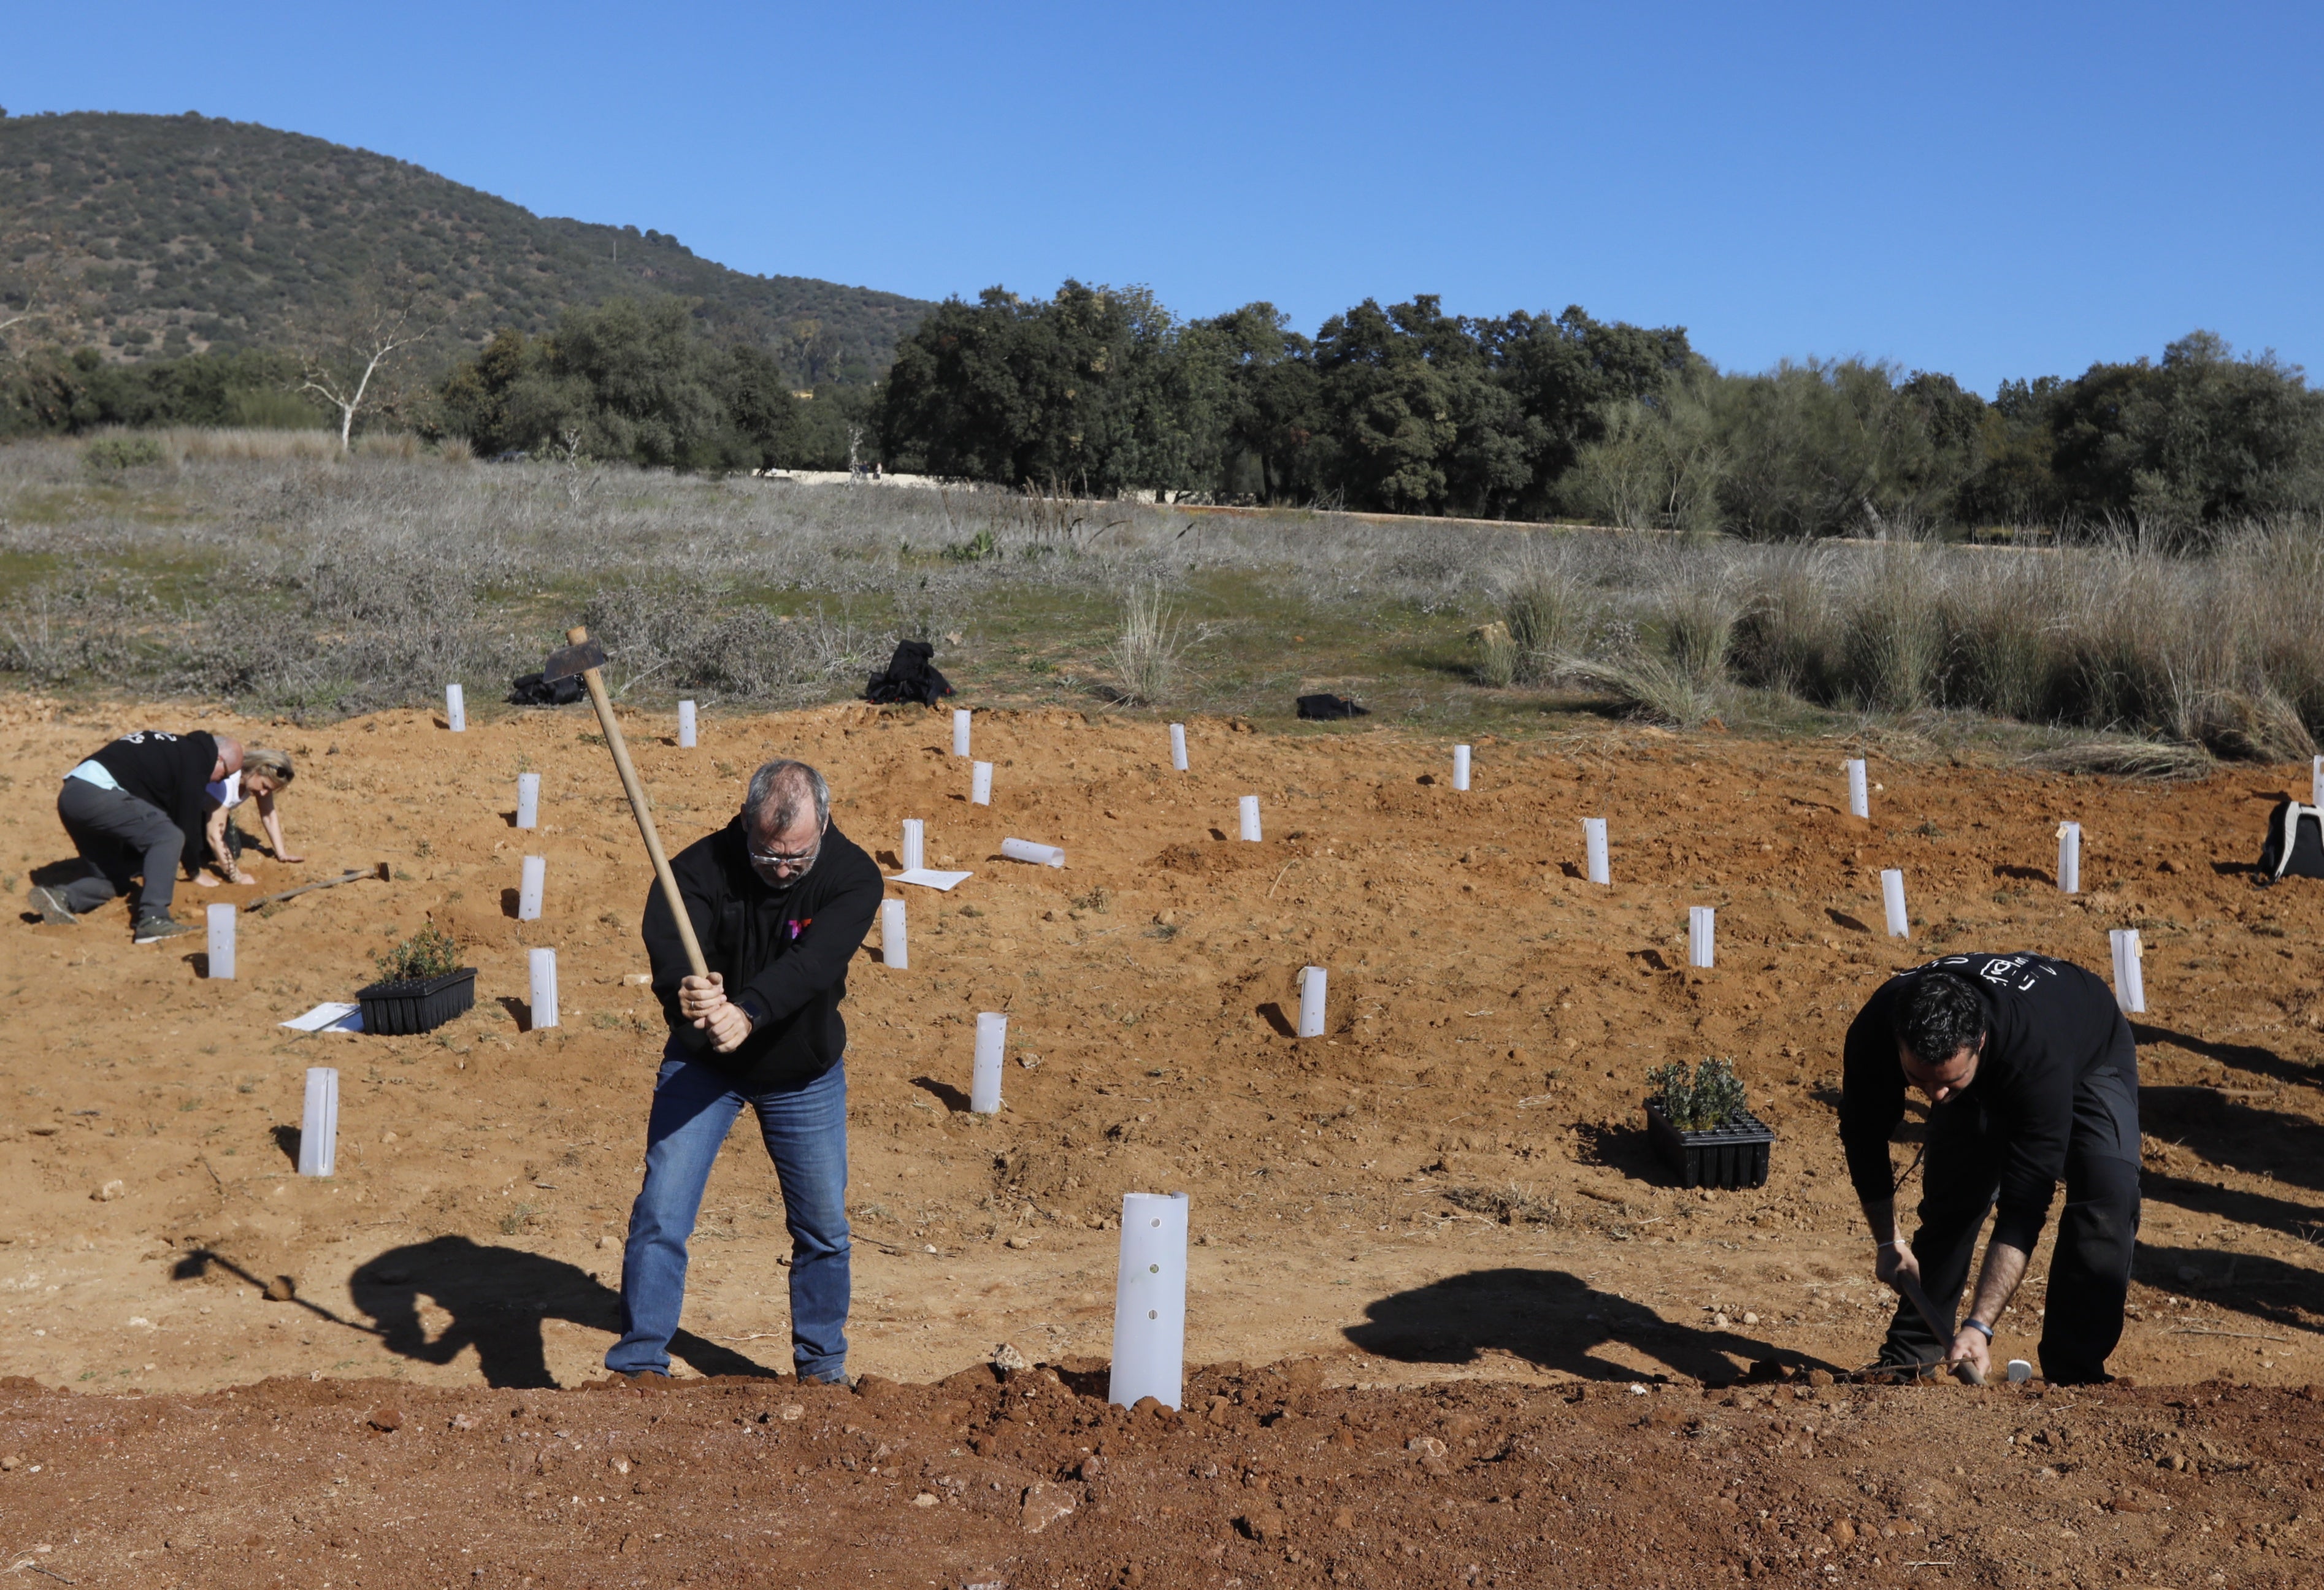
[(808, 1138)]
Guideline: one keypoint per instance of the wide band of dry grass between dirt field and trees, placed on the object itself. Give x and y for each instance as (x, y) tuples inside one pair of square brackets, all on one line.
[(264, 568)]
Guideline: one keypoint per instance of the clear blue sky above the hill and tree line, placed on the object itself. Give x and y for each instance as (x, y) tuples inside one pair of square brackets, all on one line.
[(1984, 189)]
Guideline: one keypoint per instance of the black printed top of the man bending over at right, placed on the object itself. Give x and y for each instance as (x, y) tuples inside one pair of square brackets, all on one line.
[(2051, 1026)]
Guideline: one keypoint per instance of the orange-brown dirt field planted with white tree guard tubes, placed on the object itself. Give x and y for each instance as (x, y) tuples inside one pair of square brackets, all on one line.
[(1440, 1222)]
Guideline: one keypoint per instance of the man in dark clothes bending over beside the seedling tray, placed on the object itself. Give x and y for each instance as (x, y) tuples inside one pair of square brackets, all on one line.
[(2032, 1077)]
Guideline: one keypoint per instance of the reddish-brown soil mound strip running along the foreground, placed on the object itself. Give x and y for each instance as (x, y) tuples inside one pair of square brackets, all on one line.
[(1268, 1477)]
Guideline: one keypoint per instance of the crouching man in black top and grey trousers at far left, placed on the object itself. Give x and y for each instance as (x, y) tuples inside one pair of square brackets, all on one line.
[(136, 810)]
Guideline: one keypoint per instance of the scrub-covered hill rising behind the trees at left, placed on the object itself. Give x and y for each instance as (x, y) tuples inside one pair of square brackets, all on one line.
[(162, 236)]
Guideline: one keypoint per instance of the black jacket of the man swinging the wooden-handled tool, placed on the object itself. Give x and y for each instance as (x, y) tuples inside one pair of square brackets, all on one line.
[(784, 957)]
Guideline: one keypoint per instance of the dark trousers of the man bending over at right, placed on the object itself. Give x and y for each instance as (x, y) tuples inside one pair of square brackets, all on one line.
[(2090, 1270)]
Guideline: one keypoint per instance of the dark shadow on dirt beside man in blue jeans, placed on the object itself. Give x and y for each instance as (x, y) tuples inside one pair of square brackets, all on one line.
[(498, 1303)]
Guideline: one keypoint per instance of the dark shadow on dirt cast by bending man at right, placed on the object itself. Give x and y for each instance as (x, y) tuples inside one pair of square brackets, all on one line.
[(1554, 1322)]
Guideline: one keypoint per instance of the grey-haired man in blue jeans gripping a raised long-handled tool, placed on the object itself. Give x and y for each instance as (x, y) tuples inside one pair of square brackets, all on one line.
[(780, 901)]
